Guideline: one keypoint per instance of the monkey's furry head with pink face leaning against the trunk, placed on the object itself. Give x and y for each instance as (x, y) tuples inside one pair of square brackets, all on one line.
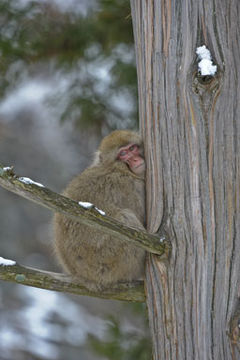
[(125, 147)]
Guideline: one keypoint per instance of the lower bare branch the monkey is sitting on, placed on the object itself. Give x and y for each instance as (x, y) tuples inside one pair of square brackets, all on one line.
[(59, 282)]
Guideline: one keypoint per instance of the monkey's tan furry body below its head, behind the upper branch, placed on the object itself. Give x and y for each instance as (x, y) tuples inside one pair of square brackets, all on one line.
[(95, 258)]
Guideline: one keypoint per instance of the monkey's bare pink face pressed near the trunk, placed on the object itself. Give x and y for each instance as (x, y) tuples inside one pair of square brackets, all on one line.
[(130, 155)]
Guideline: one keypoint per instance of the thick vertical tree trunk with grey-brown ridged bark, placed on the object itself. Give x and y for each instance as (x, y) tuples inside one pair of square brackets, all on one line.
[(191, 127)]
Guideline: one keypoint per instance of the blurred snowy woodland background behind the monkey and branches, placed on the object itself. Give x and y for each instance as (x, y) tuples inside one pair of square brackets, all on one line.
[(68, 77)]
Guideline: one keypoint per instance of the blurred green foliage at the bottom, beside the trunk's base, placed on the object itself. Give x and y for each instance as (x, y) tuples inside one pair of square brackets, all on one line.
[(121, 344)]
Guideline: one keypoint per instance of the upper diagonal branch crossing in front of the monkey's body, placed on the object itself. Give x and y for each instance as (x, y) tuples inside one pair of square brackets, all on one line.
[(89, 216)]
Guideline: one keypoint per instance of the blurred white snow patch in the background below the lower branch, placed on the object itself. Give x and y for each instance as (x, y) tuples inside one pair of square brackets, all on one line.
[(47, 325)]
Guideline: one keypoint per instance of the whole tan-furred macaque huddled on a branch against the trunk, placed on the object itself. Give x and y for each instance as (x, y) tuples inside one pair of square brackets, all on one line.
[(114, 183)]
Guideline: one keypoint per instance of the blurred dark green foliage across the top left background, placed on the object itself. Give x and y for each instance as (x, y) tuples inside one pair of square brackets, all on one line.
[(41, 36)]
